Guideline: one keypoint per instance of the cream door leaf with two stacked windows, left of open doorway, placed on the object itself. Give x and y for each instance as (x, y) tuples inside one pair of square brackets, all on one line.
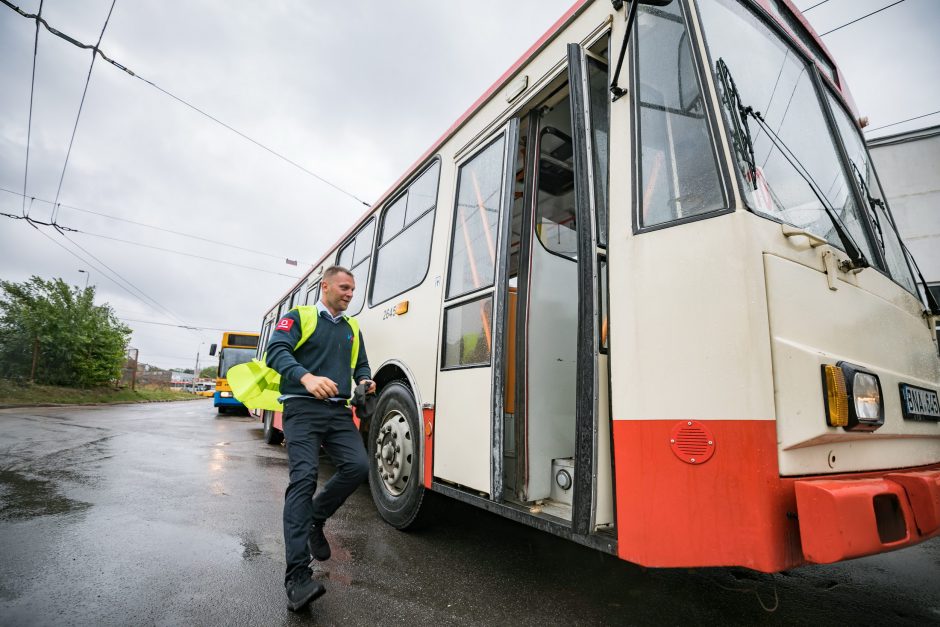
[(470, 399)]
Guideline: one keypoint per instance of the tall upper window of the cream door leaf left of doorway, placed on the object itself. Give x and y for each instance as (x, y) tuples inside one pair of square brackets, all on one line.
[(473, 247)]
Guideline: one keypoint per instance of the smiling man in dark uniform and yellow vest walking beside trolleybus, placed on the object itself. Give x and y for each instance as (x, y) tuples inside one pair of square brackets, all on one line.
[(316, 383)]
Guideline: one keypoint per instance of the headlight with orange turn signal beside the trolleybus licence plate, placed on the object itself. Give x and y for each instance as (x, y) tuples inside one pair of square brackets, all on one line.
[(852, 397)]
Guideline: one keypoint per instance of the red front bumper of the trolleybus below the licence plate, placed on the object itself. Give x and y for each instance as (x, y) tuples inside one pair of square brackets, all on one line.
[(846, 518)]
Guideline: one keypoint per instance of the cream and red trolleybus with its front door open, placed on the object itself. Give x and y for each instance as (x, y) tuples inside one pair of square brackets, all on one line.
[(646, 295)]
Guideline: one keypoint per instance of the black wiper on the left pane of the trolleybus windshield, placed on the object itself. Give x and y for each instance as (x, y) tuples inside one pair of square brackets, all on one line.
[(857, 260)]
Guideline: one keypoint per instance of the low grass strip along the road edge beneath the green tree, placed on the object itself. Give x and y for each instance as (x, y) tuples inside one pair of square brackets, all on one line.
[(13, 393)]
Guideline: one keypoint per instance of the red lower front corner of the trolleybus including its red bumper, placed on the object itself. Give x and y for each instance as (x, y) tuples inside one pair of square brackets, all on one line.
[(735, 509)]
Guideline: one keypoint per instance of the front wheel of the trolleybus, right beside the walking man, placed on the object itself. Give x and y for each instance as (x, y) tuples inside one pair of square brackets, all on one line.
[(394, 465)]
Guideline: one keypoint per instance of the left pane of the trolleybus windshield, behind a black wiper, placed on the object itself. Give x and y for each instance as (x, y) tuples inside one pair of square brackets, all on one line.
[(775, 81)]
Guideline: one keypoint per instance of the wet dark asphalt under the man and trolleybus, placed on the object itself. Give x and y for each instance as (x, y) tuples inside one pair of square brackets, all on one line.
[(168, 514)]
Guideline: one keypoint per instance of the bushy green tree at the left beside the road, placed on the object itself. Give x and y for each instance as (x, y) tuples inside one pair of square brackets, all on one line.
[(59, 328)]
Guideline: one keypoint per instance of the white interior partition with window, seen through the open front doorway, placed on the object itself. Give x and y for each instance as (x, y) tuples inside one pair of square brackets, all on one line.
[(551, 311)]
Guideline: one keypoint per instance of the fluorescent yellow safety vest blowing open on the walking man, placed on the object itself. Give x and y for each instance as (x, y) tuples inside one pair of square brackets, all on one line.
[(257, 386)]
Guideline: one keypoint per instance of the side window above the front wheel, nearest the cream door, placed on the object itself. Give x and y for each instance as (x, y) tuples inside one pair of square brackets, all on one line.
[(404, 248)]
